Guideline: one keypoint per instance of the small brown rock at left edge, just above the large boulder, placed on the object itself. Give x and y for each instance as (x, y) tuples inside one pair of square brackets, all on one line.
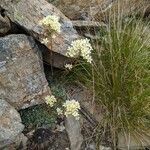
[(4, 25)]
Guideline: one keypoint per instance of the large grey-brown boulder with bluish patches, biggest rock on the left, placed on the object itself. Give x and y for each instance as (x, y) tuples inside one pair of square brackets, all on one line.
[(22, 79)]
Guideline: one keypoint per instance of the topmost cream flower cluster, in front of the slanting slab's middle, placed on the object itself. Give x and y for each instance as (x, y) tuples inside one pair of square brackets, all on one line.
[(51, 22)]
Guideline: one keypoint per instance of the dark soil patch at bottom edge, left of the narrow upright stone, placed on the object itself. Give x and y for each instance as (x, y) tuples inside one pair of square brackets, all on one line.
[(45, 139)]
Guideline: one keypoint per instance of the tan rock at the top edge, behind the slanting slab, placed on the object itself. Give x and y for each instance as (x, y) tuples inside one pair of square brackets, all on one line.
[(82, 9)]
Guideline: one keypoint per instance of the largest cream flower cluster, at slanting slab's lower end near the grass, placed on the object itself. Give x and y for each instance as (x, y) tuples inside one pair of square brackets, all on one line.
[(80, 47)]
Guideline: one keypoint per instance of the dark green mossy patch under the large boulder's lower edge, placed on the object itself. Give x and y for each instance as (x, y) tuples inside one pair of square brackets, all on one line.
[(37, 116)]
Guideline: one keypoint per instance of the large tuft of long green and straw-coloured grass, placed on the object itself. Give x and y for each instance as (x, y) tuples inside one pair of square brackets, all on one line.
[(119, 77)]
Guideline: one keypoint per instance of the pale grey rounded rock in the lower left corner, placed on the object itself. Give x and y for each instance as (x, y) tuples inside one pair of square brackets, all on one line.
[(10, 124)]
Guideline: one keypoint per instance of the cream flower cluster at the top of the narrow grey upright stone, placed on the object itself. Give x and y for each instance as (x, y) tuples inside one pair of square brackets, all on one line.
[(71, 108)]
